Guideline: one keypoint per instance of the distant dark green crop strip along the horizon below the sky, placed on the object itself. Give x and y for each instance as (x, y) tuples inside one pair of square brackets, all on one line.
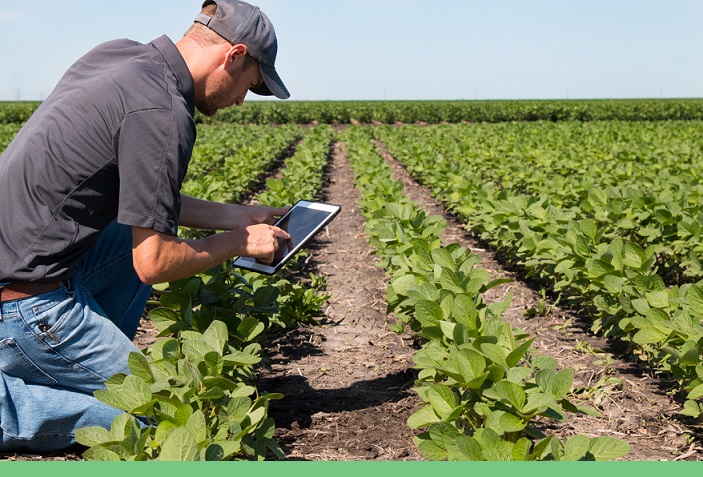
[(390, 112)]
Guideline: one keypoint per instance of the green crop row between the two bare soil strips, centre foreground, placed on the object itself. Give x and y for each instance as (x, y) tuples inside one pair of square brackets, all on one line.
[(483, 386)]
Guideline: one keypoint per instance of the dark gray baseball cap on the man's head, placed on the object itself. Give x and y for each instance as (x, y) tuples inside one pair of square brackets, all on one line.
[(239, 22)]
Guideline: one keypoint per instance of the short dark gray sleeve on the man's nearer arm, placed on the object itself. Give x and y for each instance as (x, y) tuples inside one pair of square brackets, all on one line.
[(152, 158)]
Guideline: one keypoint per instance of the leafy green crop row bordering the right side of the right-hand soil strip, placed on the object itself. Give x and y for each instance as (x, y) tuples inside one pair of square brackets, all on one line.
[(615, 280)]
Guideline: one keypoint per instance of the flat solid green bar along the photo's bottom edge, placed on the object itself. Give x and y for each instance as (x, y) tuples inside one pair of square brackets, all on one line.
[(349, 469)]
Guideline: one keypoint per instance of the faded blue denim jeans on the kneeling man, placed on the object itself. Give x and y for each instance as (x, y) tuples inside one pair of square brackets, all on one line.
[(59, 347)]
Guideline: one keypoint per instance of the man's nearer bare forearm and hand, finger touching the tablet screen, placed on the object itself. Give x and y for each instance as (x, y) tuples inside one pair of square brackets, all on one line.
[(160, 258)]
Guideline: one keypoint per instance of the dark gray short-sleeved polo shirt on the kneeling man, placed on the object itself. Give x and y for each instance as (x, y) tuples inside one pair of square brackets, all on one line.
[(113, 140)]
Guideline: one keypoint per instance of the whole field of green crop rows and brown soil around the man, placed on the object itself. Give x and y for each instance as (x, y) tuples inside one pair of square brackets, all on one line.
[(506, 281)]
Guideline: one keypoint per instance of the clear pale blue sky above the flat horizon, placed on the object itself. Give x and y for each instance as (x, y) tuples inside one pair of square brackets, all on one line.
[(399, 49)]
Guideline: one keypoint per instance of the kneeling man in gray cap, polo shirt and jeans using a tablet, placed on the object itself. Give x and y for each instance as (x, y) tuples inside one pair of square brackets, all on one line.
[(91, 205)]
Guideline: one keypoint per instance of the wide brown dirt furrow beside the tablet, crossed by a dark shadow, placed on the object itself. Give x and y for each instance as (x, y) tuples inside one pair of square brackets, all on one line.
[(347, 382)]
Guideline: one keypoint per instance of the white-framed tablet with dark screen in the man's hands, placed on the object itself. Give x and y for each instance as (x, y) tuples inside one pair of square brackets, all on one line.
[(302, 222)]
